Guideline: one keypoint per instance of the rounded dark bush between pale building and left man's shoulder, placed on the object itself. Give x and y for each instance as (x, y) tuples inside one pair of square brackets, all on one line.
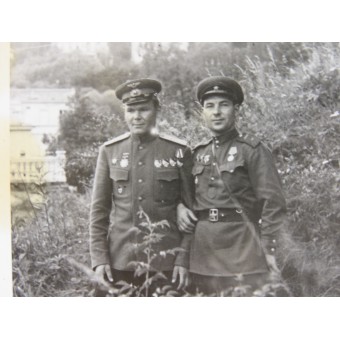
[(92, 119)]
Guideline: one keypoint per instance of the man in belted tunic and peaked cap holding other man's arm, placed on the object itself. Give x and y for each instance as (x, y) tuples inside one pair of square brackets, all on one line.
[(236, 187)]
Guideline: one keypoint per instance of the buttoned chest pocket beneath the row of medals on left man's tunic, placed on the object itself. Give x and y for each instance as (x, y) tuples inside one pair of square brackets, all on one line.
[(167, 185)]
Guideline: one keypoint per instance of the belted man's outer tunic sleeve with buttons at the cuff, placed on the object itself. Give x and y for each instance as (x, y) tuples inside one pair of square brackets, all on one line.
[(267, 186)]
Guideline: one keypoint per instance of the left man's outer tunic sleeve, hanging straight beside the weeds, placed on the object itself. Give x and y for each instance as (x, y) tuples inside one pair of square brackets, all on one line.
[(100, 211)]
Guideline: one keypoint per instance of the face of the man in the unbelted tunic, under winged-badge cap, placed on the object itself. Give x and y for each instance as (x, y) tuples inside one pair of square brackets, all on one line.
[(141, 118)]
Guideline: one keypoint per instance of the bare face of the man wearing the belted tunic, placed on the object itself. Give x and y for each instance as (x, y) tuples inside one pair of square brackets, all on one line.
[(219, 114)]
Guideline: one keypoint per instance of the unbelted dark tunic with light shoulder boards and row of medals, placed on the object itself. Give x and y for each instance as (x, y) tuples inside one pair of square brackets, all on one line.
[(152, 173)]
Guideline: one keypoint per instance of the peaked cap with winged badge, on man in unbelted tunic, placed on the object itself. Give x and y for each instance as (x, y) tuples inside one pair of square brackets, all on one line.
[(138, 90)]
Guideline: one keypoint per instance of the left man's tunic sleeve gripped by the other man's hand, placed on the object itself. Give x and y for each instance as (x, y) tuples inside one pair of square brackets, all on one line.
[(187, 198)]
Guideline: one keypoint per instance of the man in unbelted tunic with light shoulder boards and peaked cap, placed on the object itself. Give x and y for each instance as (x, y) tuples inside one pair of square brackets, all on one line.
[(139, 170)]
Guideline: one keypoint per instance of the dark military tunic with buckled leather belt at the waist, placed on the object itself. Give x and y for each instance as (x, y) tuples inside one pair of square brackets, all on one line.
[(235, 175)]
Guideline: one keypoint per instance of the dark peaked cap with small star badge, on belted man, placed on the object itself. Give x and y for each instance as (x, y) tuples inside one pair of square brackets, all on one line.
[(220, 85)]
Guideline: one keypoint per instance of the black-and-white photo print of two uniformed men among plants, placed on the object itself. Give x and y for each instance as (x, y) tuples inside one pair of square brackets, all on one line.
[(175, 169)]
